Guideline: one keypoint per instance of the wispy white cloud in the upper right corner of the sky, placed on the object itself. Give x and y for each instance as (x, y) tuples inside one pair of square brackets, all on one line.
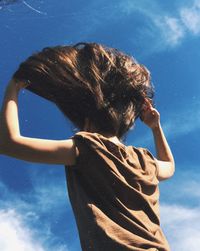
[(168, 30)]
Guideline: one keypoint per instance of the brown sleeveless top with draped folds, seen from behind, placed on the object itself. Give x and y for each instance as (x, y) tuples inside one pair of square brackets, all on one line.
[(114, 194)]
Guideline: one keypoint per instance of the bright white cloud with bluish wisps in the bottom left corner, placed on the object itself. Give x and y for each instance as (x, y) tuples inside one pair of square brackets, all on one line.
[(30, 217)]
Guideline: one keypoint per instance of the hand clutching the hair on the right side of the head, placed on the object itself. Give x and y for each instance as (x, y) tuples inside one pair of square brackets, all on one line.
[(149, 115)]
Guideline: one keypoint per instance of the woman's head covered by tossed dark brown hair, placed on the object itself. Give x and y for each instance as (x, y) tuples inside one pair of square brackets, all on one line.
[(90, 81)]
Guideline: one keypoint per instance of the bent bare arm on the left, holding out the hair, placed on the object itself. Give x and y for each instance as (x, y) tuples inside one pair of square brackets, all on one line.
[(25, 148)]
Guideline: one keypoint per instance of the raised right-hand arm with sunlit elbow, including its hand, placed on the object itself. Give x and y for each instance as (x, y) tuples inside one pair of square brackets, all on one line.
[(166, 166)]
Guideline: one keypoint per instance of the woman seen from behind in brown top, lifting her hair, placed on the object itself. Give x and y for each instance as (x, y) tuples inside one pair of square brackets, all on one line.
[(113, 188)]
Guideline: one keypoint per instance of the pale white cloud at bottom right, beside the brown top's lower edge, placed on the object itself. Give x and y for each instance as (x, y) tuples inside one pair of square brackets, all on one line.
[(181, 226)]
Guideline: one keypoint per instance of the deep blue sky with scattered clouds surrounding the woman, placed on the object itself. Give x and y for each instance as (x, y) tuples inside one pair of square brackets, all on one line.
[(35, 213)]
